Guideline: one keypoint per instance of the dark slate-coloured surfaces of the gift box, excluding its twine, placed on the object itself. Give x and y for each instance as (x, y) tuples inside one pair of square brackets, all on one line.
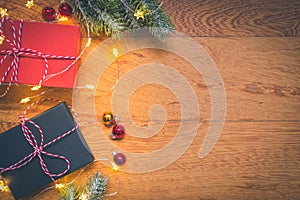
[(14, 147)]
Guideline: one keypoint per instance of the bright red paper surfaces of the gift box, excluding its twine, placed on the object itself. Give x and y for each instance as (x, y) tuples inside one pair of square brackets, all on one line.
[(52, 39)]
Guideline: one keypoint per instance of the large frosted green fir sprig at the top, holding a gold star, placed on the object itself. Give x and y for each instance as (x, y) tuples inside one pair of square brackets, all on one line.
[(112, 17)]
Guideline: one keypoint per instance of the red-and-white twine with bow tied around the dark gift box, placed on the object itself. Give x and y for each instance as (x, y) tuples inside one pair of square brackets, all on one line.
[(38, 149)]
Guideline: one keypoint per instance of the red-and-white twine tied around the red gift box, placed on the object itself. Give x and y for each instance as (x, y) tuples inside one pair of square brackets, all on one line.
[(17, 51)]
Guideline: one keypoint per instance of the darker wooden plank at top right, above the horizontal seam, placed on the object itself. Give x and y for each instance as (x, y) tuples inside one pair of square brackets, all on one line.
[(235, 17)]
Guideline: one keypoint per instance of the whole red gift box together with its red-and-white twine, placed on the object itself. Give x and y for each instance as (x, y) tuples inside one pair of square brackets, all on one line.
[(59, 44)]
